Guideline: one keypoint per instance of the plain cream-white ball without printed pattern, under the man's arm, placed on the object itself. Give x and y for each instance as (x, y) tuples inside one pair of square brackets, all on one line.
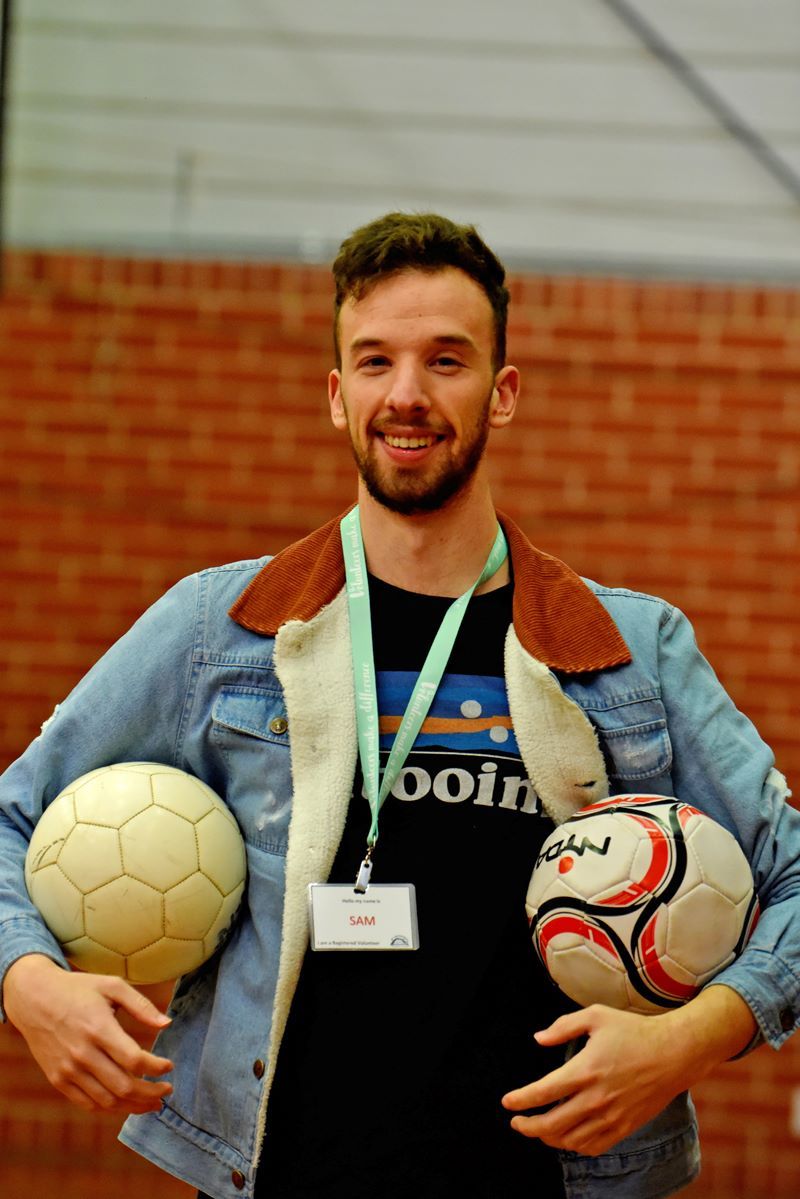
[(139, 871)]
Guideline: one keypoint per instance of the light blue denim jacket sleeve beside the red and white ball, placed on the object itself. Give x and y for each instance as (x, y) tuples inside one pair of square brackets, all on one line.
[(721, 764)]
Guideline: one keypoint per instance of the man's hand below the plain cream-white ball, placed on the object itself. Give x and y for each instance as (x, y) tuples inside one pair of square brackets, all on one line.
[(69, 1022)]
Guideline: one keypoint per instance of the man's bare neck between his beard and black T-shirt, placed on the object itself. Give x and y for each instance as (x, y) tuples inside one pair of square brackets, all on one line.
[(434, 553)]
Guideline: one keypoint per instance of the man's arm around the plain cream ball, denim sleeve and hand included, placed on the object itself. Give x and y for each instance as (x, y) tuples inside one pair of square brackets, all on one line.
[(129, 707)]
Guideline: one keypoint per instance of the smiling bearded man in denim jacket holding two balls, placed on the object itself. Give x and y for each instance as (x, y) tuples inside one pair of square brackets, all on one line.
[(454, 1069)]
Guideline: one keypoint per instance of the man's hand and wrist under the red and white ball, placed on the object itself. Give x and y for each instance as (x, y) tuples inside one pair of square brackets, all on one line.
[(629, 1070)]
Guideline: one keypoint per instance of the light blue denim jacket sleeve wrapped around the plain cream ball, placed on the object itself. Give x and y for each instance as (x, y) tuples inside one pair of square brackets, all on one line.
[(128, 708)]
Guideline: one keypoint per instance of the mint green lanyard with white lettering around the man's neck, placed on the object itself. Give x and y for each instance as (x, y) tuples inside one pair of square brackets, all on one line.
[(364, 672)]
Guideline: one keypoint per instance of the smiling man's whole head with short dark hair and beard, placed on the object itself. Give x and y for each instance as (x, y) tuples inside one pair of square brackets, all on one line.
[(417, 387)]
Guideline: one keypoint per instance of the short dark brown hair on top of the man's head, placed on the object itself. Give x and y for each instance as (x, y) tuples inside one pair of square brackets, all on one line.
[(400, 243)]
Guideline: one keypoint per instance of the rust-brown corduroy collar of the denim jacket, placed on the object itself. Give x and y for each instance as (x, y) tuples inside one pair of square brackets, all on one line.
[(556, 616)]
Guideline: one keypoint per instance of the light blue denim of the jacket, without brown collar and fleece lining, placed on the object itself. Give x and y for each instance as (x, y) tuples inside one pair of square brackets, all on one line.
[(189, 688)]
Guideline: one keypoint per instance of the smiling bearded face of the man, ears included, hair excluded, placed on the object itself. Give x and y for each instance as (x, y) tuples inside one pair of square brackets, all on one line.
[(417, 390)]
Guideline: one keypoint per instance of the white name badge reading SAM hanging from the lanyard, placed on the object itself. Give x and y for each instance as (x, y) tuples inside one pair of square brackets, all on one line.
[(383, 918)]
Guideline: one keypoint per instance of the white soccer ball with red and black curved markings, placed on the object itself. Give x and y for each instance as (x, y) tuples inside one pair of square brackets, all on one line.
[(639, 901)]
